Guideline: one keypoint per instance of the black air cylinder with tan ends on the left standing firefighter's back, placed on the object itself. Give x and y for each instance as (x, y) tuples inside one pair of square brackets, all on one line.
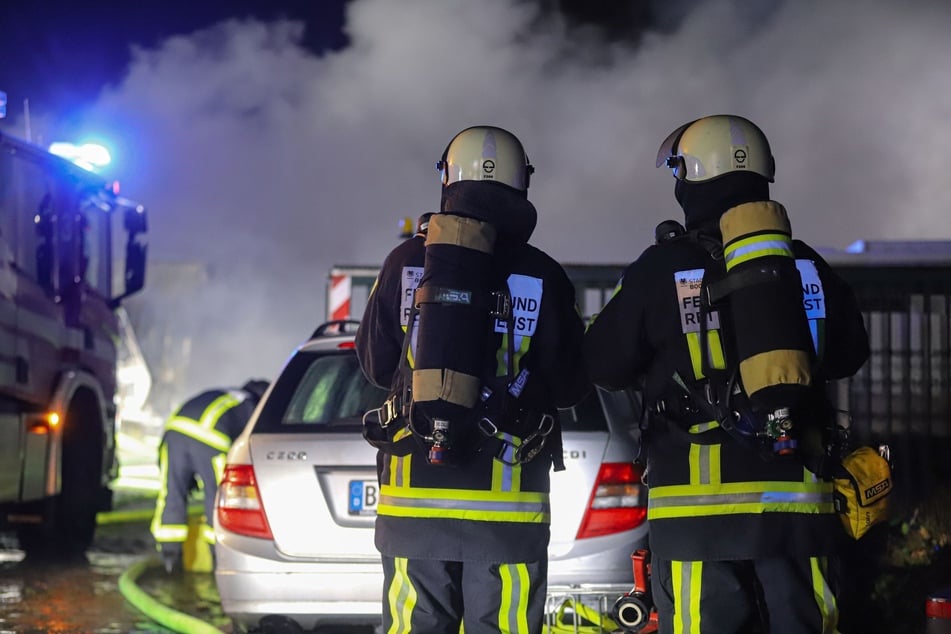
[(453, 321)]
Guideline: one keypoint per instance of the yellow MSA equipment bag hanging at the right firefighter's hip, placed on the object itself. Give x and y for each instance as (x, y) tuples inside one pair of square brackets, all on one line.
[(861, 490)]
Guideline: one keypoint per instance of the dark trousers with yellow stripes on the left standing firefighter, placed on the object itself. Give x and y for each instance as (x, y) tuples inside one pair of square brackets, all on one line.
[(437, 597)]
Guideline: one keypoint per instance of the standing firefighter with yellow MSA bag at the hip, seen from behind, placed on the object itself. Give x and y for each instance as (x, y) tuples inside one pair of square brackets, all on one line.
[(743, 526)]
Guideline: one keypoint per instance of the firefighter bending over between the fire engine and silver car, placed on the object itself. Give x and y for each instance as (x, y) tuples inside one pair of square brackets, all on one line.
[(194, 444)]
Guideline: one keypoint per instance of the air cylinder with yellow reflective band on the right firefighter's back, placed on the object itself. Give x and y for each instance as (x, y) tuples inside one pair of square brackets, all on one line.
[(771, 329)]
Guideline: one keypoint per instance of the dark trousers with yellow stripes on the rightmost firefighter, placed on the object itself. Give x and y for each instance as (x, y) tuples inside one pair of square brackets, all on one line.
[(780, 596)]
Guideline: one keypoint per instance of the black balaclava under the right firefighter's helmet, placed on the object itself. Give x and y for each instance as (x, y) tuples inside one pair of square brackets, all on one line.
[(704, 203)]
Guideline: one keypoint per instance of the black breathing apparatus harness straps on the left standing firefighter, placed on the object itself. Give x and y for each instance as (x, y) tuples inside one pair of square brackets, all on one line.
[(385, 427)]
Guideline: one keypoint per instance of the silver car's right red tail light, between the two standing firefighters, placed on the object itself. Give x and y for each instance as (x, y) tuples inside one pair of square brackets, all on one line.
[(618, 501)]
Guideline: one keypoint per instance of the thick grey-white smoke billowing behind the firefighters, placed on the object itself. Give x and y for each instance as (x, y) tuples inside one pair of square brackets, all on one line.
[(270, 164)]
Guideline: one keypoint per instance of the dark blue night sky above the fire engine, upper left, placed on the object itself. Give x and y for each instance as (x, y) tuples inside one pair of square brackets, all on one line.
[(56, 53)]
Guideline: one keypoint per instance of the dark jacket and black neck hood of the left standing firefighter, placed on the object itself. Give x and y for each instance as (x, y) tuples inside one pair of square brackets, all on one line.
[(482, 510)]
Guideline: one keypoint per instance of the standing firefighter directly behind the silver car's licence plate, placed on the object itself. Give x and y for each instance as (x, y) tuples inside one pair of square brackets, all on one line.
[(470, 434)]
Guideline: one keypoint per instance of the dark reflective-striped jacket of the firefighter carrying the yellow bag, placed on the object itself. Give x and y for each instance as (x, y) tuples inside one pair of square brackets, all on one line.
[(712, 497)]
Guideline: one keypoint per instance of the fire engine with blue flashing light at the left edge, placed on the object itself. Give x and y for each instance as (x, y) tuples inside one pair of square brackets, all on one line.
[(71, 249)]
